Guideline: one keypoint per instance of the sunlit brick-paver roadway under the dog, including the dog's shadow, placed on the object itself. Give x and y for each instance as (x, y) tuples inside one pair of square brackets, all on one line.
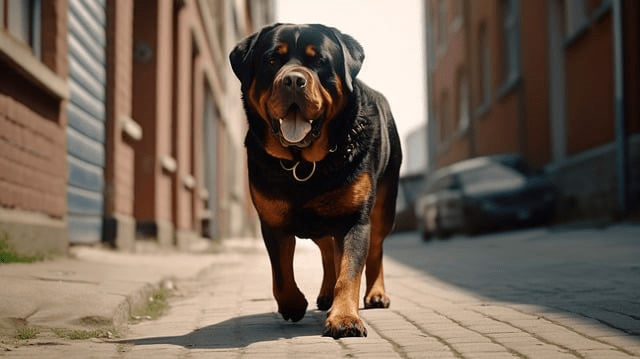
[(229, 312)]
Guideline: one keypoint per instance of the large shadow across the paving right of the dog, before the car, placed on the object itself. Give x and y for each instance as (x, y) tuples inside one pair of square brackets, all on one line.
[(591, 272)]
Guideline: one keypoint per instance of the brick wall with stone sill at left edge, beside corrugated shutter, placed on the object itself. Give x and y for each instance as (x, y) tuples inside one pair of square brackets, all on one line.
[(33, 169)]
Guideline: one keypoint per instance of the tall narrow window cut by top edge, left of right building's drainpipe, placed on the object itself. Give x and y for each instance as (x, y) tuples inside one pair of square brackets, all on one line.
[(511, 40)]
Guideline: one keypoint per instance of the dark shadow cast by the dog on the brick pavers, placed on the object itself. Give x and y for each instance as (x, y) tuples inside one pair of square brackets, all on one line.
[(240, 332)]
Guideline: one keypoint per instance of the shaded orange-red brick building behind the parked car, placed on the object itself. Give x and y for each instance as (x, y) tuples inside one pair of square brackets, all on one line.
[(536, 78)]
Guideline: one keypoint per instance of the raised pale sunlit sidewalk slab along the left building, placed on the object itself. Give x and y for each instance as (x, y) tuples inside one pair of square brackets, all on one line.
[(93, 289)]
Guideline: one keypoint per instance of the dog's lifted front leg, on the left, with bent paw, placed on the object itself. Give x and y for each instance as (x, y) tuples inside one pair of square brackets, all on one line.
[(291, 302)]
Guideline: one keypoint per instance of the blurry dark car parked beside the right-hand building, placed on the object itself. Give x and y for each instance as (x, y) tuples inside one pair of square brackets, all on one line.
[(485, 193)]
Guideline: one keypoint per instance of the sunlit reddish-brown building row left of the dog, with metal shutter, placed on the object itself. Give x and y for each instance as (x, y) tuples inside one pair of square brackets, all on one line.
[(121, 120)]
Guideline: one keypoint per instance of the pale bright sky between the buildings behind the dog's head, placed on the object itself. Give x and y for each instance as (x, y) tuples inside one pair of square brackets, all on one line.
[(392, 35)]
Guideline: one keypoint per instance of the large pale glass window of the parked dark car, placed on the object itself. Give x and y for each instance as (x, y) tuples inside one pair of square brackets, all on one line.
[(491, 178)]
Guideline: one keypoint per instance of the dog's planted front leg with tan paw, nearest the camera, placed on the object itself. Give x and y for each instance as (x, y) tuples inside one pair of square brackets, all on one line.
[(350, 256)]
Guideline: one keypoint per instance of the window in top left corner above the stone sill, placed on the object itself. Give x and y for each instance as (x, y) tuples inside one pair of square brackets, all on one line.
[(21, 20)]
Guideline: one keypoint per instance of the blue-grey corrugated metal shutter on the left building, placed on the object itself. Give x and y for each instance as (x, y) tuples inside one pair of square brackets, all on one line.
[(86, 114)]
